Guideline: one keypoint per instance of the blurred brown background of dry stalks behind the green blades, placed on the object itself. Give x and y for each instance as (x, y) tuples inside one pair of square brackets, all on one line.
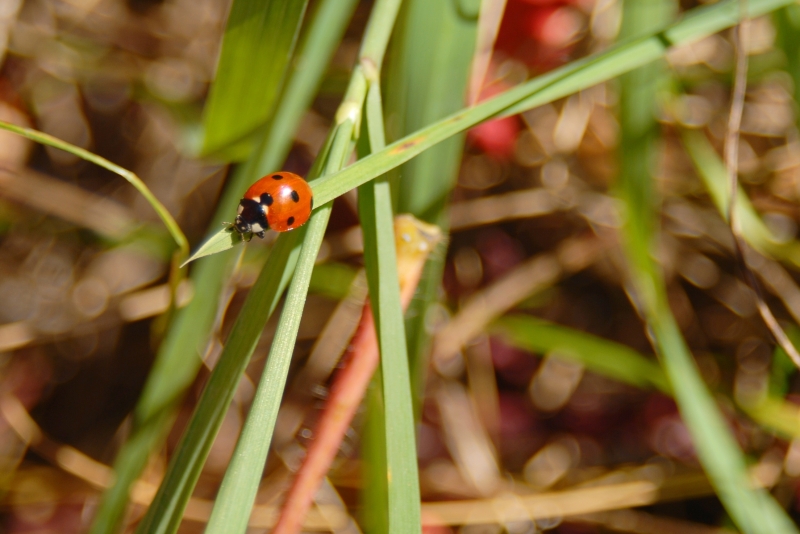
[(84, 263)]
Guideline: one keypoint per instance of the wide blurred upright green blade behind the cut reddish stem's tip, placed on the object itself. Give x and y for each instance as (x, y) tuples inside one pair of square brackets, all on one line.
[(427, 76)]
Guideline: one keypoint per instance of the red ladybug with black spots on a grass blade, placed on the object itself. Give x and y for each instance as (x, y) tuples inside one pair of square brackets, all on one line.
[(280, 201)]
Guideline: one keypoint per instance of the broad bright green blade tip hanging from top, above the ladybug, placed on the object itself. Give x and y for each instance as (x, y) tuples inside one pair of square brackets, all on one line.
[(256, 50)]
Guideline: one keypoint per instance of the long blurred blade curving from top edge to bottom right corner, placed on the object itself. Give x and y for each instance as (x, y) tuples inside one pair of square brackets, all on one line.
[(754, 511)]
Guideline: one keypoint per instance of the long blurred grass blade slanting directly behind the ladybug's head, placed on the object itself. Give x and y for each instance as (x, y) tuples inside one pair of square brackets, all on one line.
[(179, 356)]
